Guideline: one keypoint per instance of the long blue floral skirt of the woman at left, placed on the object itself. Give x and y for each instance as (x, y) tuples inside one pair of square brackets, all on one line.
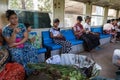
[(25, 55)]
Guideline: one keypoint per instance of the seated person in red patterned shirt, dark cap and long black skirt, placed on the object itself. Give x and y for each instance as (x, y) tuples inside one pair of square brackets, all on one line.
[(90, 41)]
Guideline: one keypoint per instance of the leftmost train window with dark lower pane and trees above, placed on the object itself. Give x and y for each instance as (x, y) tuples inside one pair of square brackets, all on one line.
[(35, 12)]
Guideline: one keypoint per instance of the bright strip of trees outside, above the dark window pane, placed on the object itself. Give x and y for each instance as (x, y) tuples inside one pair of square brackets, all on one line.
[(40, 5)]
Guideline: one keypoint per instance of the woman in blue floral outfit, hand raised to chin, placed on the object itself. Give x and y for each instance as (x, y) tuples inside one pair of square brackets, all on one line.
[(16, 37)]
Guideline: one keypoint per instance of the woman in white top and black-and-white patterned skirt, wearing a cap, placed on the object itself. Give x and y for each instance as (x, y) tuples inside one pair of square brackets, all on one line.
[(58, 38)]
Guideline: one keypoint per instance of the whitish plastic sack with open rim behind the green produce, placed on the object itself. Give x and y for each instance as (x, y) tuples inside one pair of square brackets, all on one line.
[(81, 62)]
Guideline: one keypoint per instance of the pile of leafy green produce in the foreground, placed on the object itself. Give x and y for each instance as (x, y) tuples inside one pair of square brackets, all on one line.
[(55, 72)]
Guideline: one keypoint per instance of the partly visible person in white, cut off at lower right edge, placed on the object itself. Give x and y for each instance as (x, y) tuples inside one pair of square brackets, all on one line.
[(116, 57)]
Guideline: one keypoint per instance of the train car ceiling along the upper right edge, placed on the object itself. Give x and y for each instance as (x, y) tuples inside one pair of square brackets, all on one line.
[(110, 3)]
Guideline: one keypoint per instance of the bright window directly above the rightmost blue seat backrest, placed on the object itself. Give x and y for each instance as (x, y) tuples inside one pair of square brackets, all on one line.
[(97, 15)]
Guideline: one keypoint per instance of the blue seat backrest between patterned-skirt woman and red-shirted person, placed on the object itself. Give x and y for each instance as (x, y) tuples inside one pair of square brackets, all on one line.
[(68, 34)]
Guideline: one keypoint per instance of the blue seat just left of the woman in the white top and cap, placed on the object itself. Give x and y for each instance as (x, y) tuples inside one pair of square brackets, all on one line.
[(46, 37)]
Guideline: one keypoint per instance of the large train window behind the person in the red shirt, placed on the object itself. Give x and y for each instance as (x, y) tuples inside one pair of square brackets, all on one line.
[(72, 10)]
